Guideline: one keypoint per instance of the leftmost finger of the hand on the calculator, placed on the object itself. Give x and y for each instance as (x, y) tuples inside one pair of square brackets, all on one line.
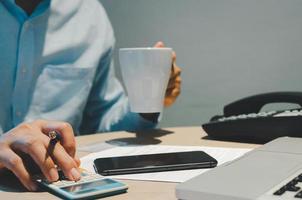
[(15, 164)]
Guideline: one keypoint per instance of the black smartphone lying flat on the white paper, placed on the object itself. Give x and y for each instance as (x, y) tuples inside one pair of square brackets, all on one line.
[(154, 163)]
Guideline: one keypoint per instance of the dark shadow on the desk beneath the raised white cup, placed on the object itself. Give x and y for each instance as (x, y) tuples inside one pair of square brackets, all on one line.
[(146, 137)]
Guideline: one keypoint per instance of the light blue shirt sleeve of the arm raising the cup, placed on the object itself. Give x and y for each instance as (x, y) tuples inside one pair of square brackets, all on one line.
[(107, 107)]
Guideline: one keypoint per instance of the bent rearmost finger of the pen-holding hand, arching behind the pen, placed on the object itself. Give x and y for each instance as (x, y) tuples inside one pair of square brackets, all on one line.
[(66, 131)]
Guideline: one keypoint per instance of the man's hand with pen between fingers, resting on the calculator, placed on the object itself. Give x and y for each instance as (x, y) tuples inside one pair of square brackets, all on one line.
[(35, 139)]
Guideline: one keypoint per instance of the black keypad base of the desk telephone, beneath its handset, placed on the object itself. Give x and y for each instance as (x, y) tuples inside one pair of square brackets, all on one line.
[(259, 127)]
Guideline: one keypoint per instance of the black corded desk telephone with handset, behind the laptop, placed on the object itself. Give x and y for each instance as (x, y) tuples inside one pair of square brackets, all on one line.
[(242, 119)]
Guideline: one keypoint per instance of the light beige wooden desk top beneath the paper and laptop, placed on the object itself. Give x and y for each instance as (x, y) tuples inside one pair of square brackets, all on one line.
[(191, 136)]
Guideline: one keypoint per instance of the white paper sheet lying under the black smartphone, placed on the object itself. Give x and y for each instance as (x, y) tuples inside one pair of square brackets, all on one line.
[(222, 155)]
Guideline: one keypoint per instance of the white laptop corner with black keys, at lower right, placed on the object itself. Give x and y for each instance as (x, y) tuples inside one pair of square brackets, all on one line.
[(270, 172)]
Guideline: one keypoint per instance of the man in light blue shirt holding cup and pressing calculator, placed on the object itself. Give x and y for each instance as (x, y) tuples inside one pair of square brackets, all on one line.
[(56, 64)]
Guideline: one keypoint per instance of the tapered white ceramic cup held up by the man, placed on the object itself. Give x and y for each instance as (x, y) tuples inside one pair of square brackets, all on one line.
[(146, 73)]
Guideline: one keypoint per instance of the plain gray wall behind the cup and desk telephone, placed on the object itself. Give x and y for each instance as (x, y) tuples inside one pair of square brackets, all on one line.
[(228, 49)]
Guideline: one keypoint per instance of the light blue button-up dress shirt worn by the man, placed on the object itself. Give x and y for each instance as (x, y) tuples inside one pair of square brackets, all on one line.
[(57, 65)]
